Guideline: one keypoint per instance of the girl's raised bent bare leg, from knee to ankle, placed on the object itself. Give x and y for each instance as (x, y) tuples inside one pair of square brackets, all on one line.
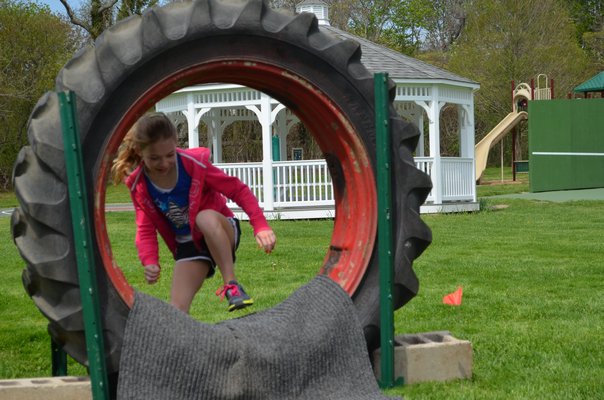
[(220, 238)]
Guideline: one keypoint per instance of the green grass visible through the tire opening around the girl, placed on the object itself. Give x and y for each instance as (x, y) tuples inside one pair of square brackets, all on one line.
[(270, 278)]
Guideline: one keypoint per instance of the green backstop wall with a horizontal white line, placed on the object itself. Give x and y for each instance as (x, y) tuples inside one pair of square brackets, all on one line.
[(566, 144)]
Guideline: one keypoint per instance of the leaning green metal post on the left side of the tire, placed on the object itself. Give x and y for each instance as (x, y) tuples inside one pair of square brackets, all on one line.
[(82, 242)]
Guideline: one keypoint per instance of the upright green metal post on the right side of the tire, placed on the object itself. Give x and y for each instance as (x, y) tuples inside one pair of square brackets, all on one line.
[(384, 183)]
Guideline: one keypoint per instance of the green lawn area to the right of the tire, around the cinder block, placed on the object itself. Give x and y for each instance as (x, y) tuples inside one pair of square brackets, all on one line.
[(532, 307)]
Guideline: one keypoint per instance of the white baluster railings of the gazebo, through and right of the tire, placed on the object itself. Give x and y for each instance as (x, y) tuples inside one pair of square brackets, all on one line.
[(308, 183)]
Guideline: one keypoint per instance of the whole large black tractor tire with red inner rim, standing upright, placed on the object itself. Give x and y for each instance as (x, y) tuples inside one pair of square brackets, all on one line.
[(144, 58)]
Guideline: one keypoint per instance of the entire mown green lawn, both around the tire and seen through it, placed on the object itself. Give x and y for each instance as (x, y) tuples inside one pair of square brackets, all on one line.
[(533, 304)]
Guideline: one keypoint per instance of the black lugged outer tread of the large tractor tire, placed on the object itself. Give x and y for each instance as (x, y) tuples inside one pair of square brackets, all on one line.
[(41, 225)]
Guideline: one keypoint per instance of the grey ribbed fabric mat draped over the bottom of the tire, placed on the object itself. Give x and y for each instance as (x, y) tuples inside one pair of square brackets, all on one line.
[(311, 346)]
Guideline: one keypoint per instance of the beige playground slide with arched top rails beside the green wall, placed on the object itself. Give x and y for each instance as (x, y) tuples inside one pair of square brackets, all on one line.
[(521, 95)]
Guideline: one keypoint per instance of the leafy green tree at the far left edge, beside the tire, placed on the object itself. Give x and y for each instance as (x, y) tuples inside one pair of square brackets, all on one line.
[(35, 44)]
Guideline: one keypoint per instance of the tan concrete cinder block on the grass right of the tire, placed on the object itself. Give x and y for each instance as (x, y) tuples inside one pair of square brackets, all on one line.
[(431, 356)]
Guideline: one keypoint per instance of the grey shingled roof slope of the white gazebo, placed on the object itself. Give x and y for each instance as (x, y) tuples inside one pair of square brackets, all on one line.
[(378, 58)]
